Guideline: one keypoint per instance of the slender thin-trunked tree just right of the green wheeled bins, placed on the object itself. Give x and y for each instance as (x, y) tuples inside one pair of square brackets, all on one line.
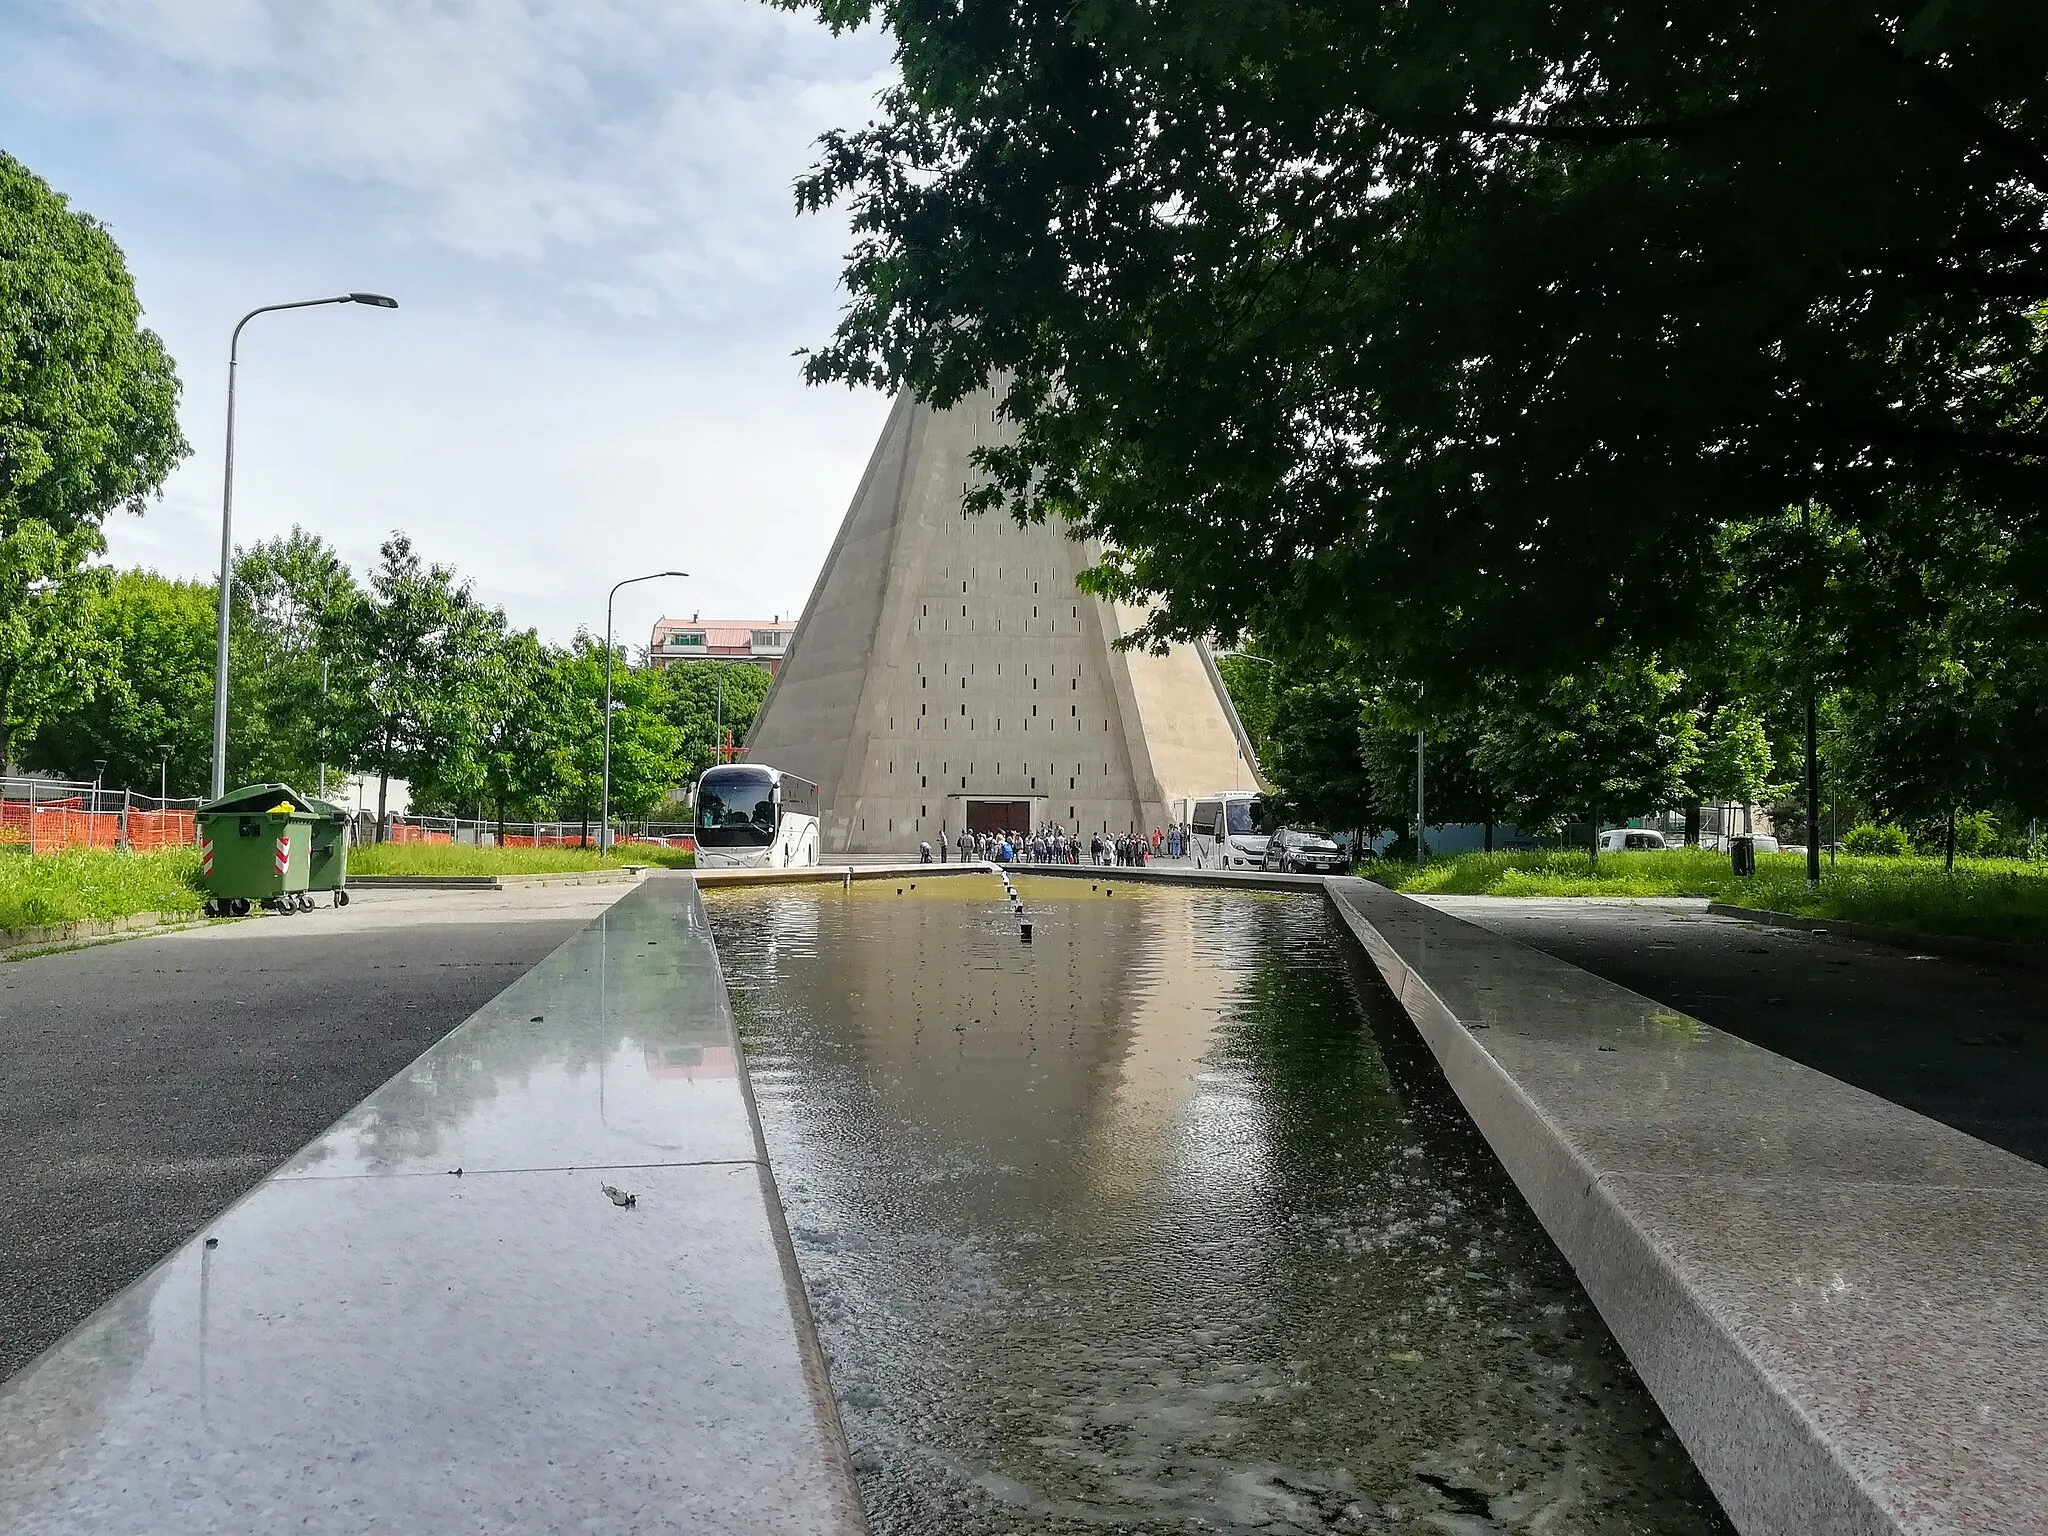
[(404, 663)]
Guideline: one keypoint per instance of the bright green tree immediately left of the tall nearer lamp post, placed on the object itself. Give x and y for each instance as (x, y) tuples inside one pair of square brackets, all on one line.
[(157, 689)]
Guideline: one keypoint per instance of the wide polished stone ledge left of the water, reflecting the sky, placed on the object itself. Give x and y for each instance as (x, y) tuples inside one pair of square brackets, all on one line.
[(437, 1320)]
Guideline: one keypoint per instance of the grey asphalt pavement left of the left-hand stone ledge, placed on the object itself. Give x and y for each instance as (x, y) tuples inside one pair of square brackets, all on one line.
[(146, 1084)]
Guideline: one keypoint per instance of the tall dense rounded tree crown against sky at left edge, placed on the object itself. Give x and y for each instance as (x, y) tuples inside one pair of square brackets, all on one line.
[(89, 400)]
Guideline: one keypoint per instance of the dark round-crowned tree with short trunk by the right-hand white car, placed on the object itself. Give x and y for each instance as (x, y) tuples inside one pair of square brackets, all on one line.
[(1609, 740)]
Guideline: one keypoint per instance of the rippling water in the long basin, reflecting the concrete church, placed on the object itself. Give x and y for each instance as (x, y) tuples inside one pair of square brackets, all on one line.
[(1166, 1222)]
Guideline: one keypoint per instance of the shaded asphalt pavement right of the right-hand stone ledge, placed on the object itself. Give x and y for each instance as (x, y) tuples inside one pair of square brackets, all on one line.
[(1959, 1041)]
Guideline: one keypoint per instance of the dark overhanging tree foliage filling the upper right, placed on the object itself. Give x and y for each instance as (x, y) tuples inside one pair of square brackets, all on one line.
[(1478, 318)]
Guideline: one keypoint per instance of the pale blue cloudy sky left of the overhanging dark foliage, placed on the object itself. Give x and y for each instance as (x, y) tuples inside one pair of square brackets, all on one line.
[(585, 214)]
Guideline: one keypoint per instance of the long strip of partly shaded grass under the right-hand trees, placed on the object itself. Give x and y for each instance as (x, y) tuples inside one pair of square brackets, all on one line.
[(1986, 898)]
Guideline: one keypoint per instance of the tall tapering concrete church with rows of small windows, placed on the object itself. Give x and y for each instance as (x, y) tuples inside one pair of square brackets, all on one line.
[(951, 675)]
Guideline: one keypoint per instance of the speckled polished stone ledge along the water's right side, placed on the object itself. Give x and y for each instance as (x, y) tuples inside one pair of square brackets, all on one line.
[(1840, 1306)]
